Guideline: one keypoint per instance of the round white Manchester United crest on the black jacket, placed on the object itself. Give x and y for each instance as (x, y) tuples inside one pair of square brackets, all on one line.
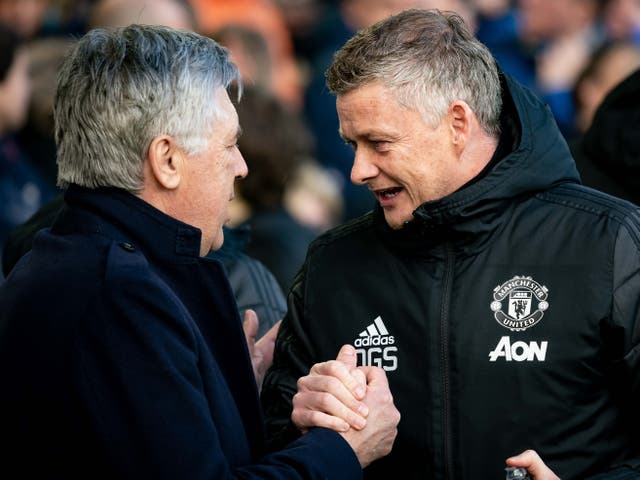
[(519, 303)]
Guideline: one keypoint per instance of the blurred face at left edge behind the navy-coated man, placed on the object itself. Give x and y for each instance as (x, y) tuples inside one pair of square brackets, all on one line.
[(15, 91)]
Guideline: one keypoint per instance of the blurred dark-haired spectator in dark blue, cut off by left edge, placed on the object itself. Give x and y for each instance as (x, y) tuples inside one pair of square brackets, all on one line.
[(22, 190)]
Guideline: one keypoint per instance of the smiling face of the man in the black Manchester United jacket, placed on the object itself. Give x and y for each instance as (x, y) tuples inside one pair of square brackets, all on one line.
[(404, 161)]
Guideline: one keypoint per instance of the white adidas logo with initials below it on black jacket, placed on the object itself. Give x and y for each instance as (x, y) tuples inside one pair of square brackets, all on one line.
[(375, 347)]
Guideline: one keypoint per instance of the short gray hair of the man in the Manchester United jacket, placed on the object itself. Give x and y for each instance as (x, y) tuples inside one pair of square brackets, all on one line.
[(428, 59)]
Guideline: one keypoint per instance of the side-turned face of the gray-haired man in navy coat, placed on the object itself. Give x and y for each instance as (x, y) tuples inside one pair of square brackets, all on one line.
[(207, 187)]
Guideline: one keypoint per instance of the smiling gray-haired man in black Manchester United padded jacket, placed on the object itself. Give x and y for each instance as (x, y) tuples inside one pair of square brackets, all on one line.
[(499, 294)]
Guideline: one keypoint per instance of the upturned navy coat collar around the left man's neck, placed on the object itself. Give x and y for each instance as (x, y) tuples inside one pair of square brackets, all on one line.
[(124, 217)]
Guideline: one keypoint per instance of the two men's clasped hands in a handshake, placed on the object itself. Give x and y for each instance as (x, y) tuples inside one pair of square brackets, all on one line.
[(354, 401)]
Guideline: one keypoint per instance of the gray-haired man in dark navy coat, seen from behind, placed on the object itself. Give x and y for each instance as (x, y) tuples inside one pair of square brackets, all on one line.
[(122, 354)]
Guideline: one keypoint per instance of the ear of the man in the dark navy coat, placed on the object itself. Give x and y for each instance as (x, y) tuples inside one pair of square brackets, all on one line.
[(166, 161)]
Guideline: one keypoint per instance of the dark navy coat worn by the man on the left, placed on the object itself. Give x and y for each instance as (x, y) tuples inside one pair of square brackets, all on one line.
[(122, 356)]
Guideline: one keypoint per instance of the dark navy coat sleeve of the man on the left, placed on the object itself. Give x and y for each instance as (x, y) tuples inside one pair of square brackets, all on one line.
[(141, 372)]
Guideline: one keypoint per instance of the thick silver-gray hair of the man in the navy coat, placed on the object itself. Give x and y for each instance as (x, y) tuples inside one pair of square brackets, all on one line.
[(119, 89)]
